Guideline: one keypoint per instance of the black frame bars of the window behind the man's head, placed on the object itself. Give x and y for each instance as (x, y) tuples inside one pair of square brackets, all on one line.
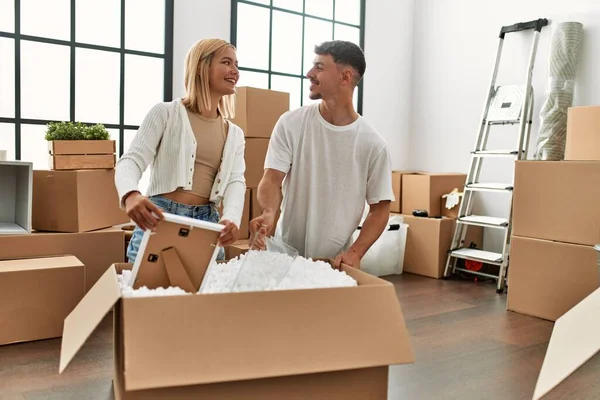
[(304, 15)]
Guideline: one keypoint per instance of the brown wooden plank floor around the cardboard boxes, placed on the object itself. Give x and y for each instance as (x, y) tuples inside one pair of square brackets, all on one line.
[(467, 347)]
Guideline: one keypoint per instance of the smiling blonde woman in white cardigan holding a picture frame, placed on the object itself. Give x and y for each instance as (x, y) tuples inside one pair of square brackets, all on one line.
[(197, 154)]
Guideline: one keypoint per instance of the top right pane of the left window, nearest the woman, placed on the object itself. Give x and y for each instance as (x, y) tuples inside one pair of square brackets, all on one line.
[(145, 25)]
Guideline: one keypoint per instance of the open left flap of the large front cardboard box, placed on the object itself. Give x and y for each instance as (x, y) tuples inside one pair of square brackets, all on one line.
[(90, 311)]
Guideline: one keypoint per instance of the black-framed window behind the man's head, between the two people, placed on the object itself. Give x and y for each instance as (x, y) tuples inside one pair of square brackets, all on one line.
[(275, 40)]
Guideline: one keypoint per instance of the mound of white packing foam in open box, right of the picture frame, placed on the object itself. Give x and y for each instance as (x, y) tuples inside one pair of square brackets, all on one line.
[(303, 274)]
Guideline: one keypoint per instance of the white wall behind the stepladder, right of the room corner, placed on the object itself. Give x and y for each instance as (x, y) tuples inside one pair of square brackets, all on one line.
[(454, 49)]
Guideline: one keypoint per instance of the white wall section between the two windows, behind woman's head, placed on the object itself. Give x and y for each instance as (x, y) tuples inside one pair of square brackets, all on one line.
[(195, 20)]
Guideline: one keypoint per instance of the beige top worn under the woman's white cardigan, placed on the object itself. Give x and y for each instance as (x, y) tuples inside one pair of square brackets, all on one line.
[(210, 138)]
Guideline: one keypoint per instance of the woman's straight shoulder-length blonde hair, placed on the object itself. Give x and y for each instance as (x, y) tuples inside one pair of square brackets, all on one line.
[(197, 63)]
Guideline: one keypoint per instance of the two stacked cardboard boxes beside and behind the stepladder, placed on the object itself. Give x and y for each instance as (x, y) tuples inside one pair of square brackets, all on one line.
[(429, 238)]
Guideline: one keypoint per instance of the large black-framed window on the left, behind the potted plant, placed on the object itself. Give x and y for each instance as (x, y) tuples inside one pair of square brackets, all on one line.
[(102, 62)]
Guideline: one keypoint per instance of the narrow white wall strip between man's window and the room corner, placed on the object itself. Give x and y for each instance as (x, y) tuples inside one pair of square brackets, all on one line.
[(388, 83)]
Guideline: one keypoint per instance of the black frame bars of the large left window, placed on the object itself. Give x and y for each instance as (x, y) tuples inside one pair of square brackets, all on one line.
[(167, 56)]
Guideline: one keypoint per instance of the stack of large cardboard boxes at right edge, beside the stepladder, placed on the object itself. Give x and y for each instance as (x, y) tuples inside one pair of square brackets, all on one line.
[(556, 223)]
